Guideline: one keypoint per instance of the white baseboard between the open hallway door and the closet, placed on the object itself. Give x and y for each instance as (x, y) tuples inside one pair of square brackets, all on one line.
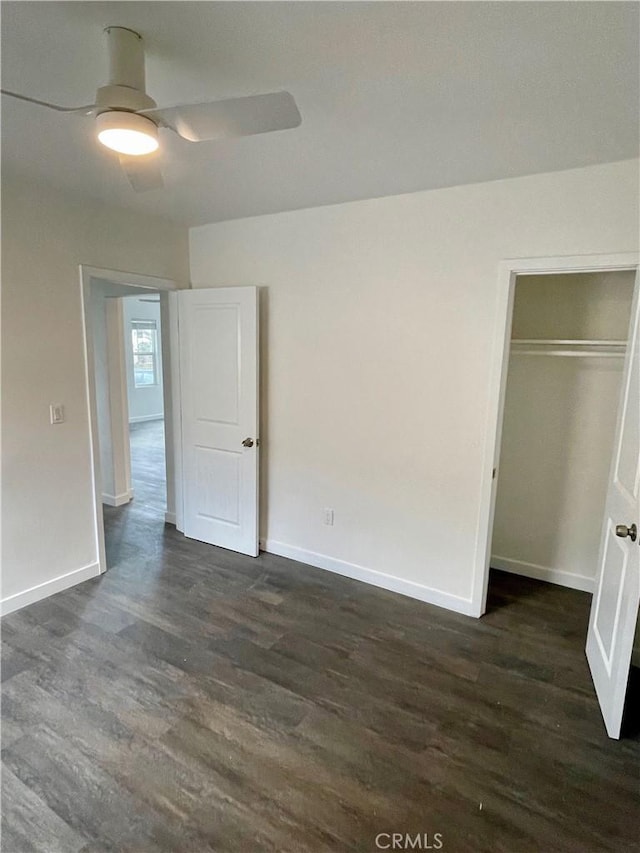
[(370, 576)]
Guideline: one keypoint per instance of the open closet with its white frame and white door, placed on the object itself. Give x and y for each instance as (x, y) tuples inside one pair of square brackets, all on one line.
[(589, 425)]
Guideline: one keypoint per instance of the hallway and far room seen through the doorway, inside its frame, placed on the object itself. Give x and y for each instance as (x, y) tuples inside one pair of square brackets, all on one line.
[(128, 375)]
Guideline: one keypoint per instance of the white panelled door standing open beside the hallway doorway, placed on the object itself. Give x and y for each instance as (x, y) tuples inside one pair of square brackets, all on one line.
[(218, 332)]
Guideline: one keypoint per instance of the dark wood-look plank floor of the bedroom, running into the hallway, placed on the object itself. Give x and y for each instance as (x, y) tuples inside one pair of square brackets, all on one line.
[(195, 700)]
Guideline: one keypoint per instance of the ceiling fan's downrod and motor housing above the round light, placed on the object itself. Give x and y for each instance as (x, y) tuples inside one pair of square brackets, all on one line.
[(126, 87)]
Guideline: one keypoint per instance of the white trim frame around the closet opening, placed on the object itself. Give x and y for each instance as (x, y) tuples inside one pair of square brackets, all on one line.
[(509, 270)]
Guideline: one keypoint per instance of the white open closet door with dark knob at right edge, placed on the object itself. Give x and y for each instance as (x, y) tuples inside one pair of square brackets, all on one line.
[(614, 609)]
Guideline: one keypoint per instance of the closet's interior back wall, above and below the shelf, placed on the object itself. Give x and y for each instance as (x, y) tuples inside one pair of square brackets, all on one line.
[(559, 425)]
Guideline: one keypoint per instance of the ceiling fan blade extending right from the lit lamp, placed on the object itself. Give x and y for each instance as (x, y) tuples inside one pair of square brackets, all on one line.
[(230, 118)]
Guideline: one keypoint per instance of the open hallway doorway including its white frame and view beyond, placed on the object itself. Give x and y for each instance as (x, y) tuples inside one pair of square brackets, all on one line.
[(130, 409)]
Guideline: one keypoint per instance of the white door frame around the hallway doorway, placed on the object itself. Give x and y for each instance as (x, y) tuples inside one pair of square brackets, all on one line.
[(164, 287)]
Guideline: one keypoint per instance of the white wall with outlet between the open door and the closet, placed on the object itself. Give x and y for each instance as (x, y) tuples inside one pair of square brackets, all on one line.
[(378, 326)]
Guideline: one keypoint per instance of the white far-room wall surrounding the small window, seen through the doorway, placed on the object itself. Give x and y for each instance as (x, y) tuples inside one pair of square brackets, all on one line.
[(145, 403)]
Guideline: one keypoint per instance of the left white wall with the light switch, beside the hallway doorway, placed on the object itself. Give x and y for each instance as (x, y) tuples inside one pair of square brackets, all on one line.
[(48, 535)]
